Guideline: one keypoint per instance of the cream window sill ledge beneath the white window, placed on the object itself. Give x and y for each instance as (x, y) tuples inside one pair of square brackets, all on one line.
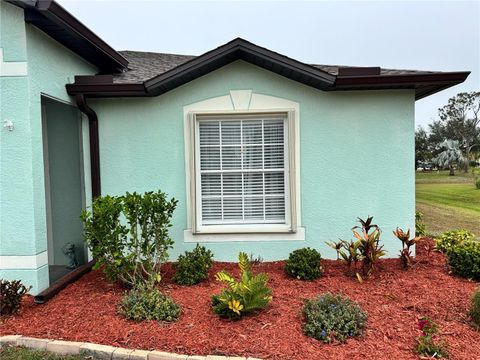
[(188, 236)]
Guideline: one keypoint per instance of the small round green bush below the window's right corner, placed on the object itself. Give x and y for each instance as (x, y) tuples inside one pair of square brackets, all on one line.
[(304, 264)]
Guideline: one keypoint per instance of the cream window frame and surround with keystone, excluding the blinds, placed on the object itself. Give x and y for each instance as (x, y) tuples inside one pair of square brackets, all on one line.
[(235, 105)]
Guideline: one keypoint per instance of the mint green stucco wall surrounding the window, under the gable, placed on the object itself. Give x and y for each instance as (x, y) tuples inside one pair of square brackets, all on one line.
[(357, 154)]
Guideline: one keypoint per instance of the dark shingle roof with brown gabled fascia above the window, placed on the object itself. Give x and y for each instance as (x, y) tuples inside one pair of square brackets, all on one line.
[(153, 74)]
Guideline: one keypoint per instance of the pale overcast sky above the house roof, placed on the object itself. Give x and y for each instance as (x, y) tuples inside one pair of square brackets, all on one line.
[(426, 35)]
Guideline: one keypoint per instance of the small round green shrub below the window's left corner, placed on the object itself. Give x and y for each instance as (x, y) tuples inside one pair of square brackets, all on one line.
[(193, 267)]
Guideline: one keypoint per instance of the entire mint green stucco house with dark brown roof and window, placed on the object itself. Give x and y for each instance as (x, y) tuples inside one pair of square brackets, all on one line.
[(265, 154)]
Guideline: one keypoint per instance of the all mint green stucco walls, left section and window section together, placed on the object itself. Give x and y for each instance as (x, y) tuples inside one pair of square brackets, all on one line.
[(357, 150)]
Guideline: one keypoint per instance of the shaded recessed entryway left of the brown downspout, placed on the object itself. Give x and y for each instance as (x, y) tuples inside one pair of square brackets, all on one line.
[(64, 186)]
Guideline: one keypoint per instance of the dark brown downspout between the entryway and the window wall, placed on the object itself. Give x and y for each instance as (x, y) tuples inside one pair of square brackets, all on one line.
[(94, 144)]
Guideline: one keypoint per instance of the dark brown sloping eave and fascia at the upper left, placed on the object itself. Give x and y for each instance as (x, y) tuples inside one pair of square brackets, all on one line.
[(59, 24)]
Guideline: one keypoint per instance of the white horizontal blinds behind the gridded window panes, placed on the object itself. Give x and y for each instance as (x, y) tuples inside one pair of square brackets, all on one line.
[(242, 170)]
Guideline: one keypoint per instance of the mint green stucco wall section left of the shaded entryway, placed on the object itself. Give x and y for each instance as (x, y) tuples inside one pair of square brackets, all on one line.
[(22, 189)]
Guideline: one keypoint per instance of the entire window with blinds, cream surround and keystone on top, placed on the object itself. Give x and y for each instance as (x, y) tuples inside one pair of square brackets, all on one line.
[(242, 167)]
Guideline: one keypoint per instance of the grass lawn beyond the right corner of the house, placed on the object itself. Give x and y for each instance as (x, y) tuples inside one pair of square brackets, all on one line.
[(448, 202)]
